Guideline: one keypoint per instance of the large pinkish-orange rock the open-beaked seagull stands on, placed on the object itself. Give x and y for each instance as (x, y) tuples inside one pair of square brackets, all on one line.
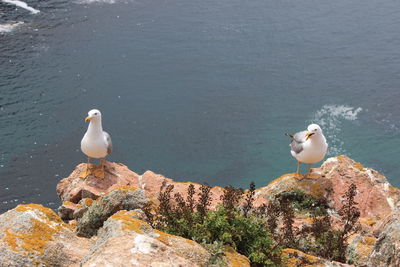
[(375, 196)]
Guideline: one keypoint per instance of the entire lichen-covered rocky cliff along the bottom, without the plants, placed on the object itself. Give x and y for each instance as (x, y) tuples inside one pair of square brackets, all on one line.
[(101, 221)]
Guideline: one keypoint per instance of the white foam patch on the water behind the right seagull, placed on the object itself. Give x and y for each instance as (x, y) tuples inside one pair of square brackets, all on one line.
[(330, 118)]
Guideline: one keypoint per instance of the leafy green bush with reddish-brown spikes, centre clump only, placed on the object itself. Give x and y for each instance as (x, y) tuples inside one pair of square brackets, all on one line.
[(227, 225)]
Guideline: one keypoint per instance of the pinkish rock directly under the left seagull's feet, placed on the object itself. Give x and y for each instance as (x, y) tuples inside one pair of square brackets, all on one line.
[(74, 188)]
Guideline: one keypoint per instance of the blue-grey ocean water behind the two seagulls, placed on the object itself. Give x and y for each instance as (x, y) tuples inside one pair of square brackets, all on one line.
[(195, 90)]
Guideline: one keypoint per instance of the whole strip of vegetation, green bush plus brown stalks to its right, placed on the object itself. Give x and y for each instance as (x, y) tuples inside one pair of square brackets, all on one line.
[(258, 233)]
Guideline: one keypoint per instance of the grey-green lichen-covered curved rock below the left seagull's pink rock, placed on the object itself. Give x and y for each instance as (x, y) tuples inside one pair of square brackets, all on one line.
[(123, 198)]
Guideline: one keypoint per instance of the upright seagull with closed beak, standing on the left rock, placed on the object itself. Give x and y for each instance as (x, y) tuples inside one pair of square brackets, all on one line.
[(96, 143)]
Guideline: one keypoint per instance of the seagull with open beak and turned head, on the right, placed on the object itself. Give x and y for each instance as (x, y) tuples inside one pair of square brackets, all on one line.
[(308, 146)]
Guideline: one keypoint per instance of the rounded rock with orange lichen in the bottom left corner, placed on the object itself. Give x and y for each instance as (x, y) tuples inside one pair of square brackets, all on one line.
[(32, 235)]
